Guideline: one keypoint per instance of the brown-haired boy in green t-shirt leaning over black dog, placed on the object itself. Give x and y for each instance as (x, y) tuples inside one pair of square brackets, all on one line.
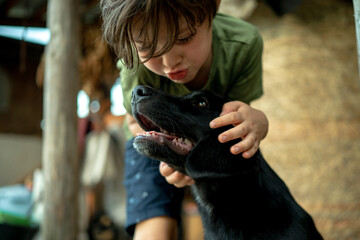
[(180, 46)]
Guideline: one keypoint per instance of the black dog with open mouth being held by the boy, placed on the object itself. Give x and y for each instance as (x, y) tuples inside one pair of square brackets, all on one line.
[(238, 198)]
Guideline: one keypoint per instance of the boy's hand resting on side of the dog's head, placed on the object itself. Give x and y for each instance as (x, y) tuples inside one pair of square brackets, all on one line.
[(250, 125)]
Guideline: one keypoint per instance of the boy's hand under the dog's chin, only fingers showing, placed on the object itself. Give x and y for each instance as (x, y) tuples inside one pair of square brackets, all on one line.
[(174, 177)]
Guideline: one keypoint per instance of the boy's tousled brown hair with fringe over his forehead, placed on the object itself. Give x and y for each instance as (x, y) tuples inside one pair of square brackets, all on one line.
[(119, 15)]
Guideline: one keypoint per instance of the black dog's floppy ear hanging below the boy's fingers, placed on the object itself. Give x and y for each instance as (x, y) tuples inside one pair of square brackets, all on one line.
[(212, 159)]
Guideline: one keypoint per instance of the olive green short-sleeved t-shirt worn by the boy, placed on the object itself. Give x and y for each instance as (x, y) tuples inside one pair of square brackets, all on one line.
[(236, 68)]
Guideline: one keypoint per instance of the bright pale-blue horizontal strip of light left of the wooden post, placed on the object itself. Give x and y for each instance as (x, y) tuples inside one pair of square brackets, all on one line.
[(29, 34)]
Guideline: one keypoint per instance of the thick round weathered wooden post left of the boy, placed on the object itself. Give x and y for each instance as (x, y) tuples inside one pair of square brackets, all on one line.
[(60, 152)]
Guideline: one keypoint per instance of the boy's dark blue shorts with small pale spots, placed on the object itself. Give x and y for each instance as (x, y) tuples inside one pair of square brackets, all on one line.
[(148, 193)]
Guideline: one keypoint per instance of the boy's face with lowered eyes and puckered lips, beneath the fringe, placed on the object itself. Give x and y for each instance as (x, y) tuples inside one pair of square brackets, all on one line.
[(188, 61)]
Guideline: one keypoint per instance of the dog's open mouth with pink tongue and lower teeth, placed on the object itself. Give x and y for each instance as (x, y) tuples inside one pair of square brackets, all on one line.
[(180, 145)]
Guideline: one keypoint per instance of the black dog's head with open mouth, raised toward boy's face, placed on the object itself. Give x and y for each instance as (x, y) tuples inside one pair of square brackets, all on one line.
[(178, 133)]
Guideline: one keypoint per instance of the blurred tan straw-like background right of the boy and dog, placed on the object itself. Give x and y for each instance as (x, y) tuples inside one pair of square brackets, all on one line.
[(312, 96)]
